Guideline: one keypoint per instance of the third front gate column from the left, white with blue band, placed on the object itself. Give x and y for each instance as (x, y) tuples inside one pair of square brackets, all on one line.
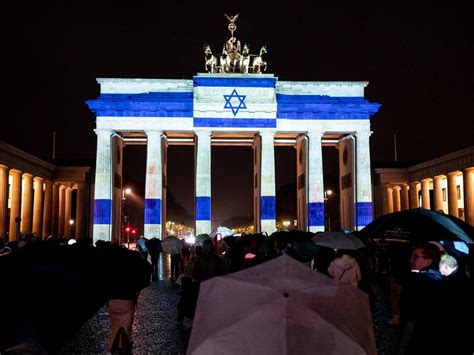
[(203, 182)]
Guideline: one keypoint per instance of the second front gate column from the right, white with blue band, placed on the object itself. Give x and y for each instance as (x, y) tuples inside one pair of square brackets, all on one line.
[(315, 182)]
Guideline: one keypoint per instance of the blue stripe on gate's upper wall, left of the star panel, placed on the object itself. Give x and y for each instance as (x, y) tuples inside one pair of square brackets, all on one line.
[(170, 104)]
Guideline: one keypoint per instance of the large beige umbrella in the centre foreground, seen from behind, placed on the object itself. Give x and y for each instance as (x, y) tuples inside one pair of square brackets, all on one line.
[(281, 307)]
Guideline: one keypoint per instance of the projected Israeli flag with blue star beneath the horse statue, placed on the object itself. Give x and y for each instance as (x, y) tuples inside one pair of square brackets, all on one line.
[(234, 100)]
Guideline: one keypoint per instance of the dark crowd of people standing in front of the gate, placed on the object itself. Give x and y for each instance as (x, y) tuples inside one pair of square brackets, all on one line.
[(430, 290)]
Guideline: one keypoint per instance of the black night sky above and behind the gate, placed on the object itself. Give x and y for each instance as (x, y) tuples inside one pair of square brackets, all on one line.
[(417, 59)]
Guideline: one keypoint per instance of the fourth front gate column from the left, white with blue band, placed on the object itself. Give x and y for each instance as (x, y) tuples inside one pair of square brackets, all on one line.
[(267, 183)]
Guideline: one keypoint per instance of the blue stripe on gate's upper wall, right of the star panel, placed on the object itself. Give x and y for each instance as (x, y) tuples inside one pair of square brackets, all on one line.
[(320, 107)]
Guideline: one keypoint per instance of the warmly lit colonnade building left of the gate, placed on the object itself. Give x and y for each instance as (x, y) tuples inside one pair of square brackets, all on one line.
[(41, 199)]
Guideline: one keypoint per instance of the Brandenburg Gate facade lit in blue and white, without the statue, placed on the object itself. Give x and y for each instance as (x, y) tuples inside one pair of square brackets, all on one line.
[(234, 109)]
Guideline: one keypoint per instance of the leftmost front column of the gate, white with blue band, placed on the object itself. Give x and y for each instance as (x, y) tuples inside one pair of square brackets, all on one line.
[(103, 187)]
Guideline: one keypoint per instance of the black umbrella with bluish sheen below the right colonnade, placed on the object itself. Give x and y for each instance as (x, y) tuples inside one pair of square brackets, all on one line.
[(419, 225)]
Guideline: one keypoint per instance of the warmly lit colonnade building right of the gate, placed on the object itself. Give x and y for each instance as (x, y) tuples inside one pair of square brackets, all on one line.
[(443, 184)]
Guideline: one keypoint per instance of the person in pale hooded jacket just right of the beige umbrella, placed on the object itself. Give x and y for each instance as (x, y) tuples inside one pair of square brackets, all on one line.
[(345, 268)]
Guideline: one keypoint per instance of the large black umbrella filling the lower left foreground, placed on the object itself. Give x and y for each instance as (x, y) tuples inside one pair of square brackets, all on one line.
[(48, 292)]
